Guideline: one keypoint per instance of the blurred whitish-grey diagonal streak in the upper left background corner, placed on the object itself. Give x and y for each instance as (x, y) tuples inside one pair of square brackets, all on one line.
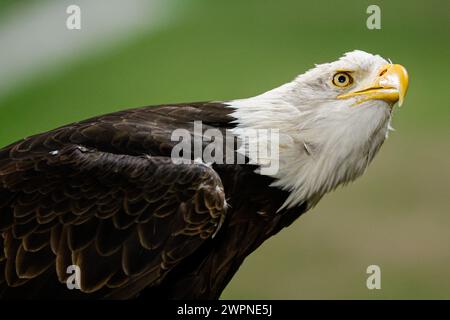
[(34, 37)]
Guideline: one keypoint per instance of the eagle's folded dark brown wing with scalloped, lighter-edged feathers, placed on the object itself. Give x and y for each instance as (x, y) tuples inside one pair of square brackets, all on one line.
[(86, 194)]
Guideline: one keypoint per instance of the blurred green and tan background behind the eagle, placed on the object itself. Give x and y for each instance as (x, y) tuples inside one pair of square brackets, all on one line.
[(396, 216)]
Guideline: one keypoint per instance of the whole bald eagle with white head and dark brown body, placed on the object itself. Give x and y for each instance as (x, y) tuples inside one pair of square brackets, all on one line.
[(105, 197)]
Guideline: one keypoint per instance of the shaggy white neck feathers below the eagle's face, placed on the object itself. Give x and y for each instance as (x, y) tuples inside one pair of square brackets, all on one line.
[(323, 143)]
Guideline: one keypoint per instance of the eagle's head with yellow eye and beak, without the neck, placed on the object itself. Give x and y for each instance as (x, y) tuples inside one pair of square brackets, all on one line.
[(356, 78)]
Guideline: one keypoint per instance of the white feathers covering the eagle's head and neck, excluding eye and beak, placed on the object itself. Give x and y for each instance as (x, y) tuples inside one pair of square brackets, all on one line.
[(324, 141)]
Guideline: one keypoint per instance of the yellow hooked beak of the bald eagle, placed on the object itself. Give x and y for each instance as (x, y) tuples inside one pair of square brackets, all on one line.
[(390, 85)]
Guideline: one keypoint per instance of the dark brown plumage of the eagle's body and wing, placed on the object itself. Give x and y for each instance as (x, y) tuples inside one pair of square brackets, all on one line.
[(104, 194)]
